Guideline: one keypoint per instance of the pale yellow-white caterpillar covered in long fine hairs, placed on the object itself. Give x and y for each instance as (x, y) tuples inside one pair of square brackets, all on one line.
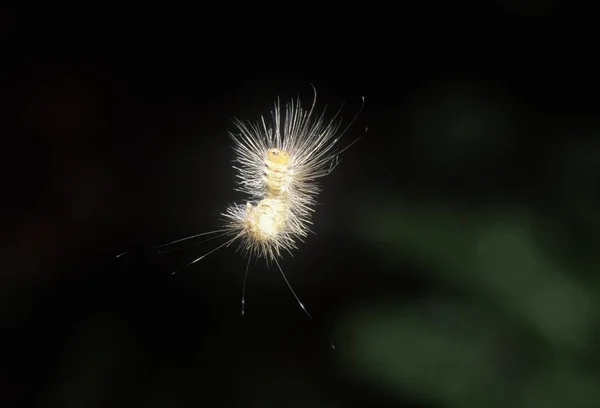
[(278, 164)]
